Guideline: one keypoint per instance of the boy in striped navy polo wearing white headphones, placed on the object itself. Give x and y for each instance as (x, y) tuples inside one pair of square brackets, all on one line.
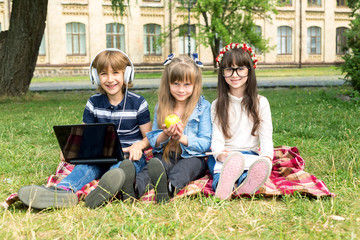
[(111, 71)]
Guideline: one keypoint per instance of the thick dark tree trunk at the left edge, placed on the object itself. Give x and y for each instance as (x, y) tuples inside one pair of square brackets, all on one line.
[(19, 46)]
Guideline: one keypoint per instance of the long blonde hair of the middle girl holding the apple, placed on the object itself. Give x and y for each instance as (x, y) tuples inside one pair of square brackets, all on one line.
[(180, 69)]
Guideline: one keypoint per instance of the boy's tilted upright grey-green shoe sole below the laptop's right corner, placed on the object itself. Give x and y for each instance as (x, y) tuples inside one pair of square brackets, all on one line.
[(108, 187)]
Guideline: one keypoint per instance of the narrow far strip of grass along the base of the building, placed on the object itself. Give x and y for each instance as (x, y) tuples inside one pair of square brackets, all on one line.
[(276, 72)]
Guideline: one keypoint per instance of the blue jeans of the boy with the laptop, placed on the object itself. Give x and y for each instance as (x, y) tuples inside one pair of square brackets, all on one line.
[(84, 173)]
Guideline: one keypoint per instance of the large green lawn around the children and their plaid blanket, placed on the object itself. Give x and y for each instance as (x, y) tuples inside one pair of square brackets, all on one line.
[(325, 130)]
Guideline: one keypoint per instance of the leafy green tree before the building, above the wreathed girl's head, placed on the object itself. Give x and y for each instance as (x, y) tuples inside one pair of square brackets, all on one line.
[(227, 21)]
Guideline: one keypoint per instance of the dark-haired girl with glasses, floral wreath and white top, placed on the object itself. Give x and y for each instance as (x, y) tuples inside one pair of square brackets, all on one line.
[(242, 129)]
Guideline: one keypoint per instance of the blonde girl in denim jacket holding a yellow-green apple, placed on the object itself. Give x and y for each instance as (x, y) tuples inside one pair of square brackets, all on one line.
[(179, 141)]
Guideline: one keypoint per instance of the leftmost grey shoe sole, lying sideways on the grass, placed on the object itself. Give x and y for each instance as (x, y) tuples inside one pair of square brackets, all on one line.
[(39, 197)]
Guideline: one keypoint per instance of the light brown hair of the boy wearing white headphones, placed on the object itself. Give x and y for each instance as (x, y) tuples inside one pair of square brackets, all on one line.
[(116, 60)]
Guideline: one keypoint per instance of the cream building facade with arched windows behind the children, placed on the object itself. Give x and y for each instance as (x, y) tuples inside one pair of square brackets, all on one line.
[(304, 32)]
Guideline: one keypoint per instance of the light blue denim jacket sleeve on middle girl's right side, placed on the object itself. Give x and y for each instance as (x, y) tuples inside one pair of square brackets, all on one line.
[(199, 131)]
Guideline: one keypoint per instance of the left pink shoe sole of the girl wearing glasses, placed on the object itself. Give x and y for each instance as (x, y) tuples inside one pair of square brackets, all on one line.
[(232, 169)]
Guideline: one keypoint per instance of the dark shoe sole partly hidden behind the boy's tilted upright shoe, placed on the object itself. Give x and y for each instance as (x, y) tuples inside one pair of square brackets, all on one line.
[(127, 188)]
